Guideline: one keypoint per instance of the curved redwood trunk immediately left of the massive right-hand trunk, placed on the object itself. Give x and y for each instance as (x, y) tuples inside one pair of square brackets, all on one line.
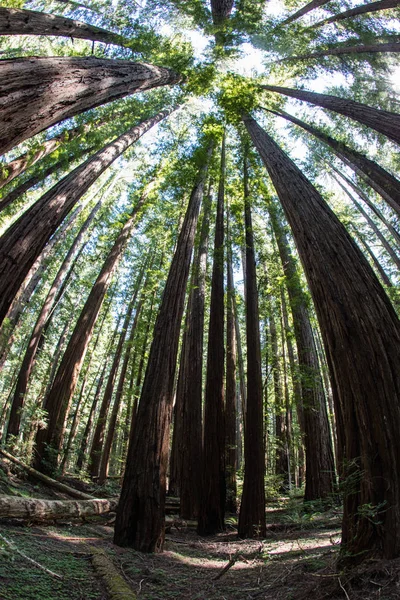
[(320, 469)]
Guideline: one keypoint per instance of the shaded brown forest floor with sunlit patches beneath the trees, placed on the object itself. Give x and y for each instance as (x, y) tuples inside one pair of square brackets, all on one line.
[(295, 561)]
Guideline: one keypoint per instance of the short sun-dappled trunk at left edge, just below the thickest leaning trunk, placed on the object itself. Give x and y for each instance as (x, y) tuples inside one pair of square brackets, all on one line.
[(12, 169)]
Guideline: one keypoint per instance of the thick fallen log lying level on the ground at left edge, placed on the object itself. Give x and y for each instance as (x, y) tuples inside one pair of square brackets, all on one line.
[(35, 509)]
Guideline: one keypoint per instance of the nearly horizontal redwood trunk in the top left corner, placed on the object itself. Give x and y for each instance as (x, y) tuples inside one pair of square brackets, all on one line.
[(14, 21)]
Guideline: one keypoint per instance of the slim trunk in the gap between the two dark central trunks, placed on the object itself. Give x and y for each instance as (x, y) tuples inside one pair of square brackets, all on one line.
[(230, 383)]
